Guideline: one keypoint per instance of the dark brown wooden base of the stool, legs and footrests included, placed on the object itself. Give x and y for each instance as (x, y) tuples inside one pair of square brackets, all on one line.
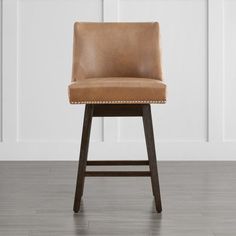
[(110, 110)]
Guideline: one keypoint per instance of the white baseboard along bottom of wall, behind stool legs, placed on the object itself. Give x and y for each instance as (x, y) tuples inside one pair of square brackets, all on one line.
[(176, 151)]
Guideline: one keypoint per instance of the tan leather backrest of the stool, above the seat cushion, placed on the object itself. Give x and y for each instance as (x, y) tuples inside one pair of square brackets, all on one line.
[(116, 50)]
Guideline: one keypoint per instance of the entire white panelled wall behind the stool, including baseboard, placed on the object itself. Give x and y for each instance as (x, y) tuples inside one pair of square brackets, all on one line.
[(199, 55)]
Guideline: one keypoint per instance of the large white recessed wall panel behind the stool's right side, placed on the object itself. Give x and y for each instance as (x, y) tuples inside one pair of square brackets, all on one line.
[(183, 26)]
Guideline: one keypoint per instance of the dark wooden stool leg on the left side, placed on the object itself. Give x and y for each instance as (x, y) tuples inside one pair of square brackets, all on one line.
[(88, 115)]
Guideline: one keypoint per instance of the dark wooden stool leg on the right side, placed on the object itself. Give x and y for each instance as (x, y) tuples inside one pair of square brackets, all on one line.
[(149, 136)]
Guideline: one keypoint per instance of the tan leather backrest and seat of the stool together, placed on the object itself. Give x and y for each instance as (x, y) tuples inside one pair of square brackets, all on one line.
[(116, 63)]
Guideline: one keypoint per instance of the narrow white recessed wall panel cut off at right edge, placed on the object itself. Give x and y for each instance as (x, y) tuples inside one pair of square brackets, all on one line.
[(230, 70)]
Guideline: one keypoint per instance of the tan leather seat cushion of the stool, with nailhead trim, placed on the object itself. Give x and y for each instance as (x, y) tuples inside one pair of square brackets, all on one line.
[(117, 90)]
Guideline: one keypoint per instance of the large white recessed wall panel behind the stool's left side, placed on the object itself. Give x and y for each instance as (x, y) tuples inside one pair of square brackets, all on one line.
[(45, 53)]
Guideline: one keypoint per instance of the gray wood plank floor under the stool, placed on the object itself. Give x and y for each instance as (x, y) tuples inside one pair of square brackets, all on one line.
[(199, 199)]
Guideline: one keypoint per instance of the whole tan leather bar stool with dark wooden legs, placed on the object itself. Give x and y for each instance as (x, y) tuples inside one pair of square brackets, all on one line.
[(117, 72)]
